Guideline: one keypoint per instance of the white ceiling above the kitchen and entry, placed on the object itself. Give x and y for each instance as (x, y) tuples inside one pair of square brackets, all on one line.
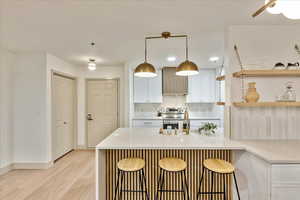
[(118, 27)]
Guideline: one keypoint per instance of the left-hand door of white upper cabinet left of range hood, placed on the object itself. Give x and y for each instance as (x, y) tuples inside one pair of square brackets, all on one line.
[(140, 90)]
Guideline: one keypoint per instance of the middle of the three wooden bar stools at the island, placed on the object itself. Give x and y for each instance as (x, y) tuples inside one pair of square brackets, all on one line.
[(172, 165)]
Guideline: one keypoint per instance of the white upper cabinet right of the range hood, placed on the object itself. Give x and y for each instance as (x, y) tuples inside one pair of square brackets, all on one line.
[(202, 87)]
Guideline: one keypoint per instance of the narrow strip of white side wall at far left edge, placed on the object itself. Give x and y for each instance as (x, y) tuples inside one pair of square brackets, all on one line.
[(6, 117)]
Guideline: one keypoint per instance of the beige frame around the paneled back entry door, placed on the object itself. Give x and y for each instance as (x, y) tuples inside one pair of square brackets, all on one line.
[(86, 105)]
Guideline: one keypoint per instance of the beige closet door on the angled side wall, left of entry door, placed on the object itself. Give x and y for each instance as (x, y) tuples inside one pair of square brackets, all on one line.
[(64, 115)]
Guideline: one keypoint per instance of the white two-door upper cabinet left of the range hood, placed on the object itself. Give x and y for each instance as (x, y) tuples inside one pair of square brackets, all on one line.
[(148, 90)]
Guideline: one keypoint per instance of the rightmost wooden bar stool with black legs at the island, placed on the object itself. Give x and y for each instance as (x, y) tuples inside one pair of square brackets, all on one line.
[(219, 167)]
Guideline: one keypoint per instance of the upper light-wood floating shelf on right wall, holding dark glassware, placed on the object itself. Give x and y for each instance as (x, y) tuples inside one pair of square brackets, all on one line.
[(274, 72)]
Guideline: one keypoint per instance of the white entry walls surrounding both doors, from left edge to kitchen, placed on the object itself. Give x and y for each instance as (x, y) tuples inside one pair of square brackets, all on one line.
[(25, 104)]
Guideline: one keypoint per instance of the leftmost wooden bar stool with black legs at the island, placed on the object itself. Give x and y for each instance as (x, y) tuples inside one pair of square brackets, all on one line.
[(131, 165)]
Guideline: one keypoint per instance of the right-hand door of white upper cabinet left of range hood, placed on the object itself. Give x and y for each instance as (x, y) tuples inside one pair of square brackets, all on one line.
[(155, 88)]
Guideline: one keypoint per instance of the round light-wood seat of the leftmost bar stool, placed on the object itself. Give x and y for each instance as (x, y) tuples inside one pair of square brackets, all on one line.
[(131, 164)]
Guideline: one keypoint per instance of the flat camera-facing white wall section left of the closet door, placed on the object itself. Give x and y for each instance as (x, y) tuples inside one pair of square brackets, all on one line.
[(29, 109)]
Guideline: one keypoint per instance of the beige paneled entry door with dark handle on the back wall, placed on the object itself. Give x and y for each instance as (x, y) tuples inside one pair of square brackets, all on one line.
[(102, 109)]
